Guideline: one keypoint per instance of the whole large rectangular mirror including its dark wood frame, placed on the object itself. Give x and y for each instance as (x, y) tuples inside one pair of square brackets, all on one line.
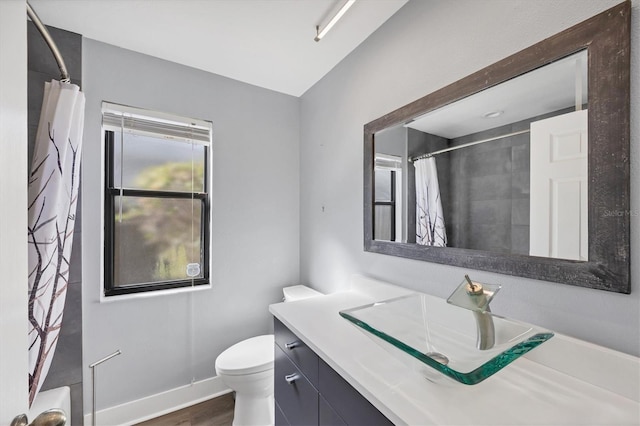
[(520, 168)]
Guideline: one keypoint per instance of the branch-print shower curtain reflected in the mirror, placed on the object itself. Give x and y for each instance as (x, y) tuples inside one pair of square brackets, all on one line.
[(430, 230)]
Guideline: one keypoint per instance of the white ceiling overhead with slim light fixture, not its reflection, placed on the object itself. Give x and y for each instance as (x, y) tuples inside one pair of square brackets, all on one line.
[(267, 43)]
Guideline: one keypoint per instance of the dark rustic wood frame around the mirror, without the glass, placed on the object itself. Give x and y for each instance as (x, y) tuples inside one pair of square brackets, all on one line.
[(606, 37)]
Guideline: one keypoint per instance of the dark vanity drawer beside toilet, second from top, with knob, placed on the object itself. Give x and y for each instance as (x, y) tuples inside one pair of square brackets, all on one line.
[(295, 396)]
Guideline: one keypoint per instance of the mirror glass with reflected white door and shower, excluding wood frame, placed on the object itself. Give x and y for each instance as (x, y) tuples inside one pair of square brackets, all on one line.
[(503, 170)]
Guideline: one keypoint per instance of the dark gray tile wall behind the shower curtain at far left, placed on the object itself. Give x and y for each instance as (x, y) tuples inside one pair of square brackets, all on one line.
[(66, 367)]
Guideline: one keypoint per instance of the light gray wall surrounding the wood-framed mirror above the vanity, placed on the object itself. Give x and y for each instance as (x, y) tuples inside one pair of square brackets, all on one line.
[(439, 42)]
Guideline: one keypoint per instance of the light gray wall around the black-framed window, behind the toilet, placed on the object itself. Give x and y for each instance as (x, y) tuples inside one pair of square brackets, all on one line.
[(167, 340)]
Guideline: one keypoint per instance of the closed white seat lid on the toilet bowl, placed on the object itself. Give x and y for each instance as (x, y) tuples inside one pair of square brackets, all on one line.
[(249, 356)]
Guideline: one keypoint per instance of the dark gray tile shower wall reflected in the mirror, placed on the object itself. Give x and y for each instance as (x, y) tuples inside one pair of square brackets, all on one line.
[(488, 203)]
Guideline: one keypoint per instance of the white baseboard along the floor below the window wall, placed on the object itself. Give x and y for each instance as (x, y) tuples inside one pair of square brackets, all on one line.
[(159, 404)]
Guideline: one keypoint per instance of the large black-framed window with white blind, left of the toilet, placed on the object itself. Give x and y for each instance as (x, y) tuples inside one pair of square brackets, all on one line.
[(156, 230)]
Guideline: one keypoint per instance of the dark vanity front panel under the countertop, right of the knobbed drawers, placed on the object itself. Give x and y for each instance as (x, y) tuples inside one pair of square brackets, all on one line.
[(347, 402)]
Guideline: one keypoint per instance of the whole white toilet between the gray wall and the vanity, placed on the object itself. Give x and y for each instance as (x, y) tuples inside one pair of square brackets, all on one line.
[(247, 368)]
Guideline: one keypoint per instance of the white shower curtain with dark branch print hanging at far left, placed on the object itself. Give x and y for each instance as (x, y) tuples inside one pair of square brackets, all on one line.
[(53, 196)]
